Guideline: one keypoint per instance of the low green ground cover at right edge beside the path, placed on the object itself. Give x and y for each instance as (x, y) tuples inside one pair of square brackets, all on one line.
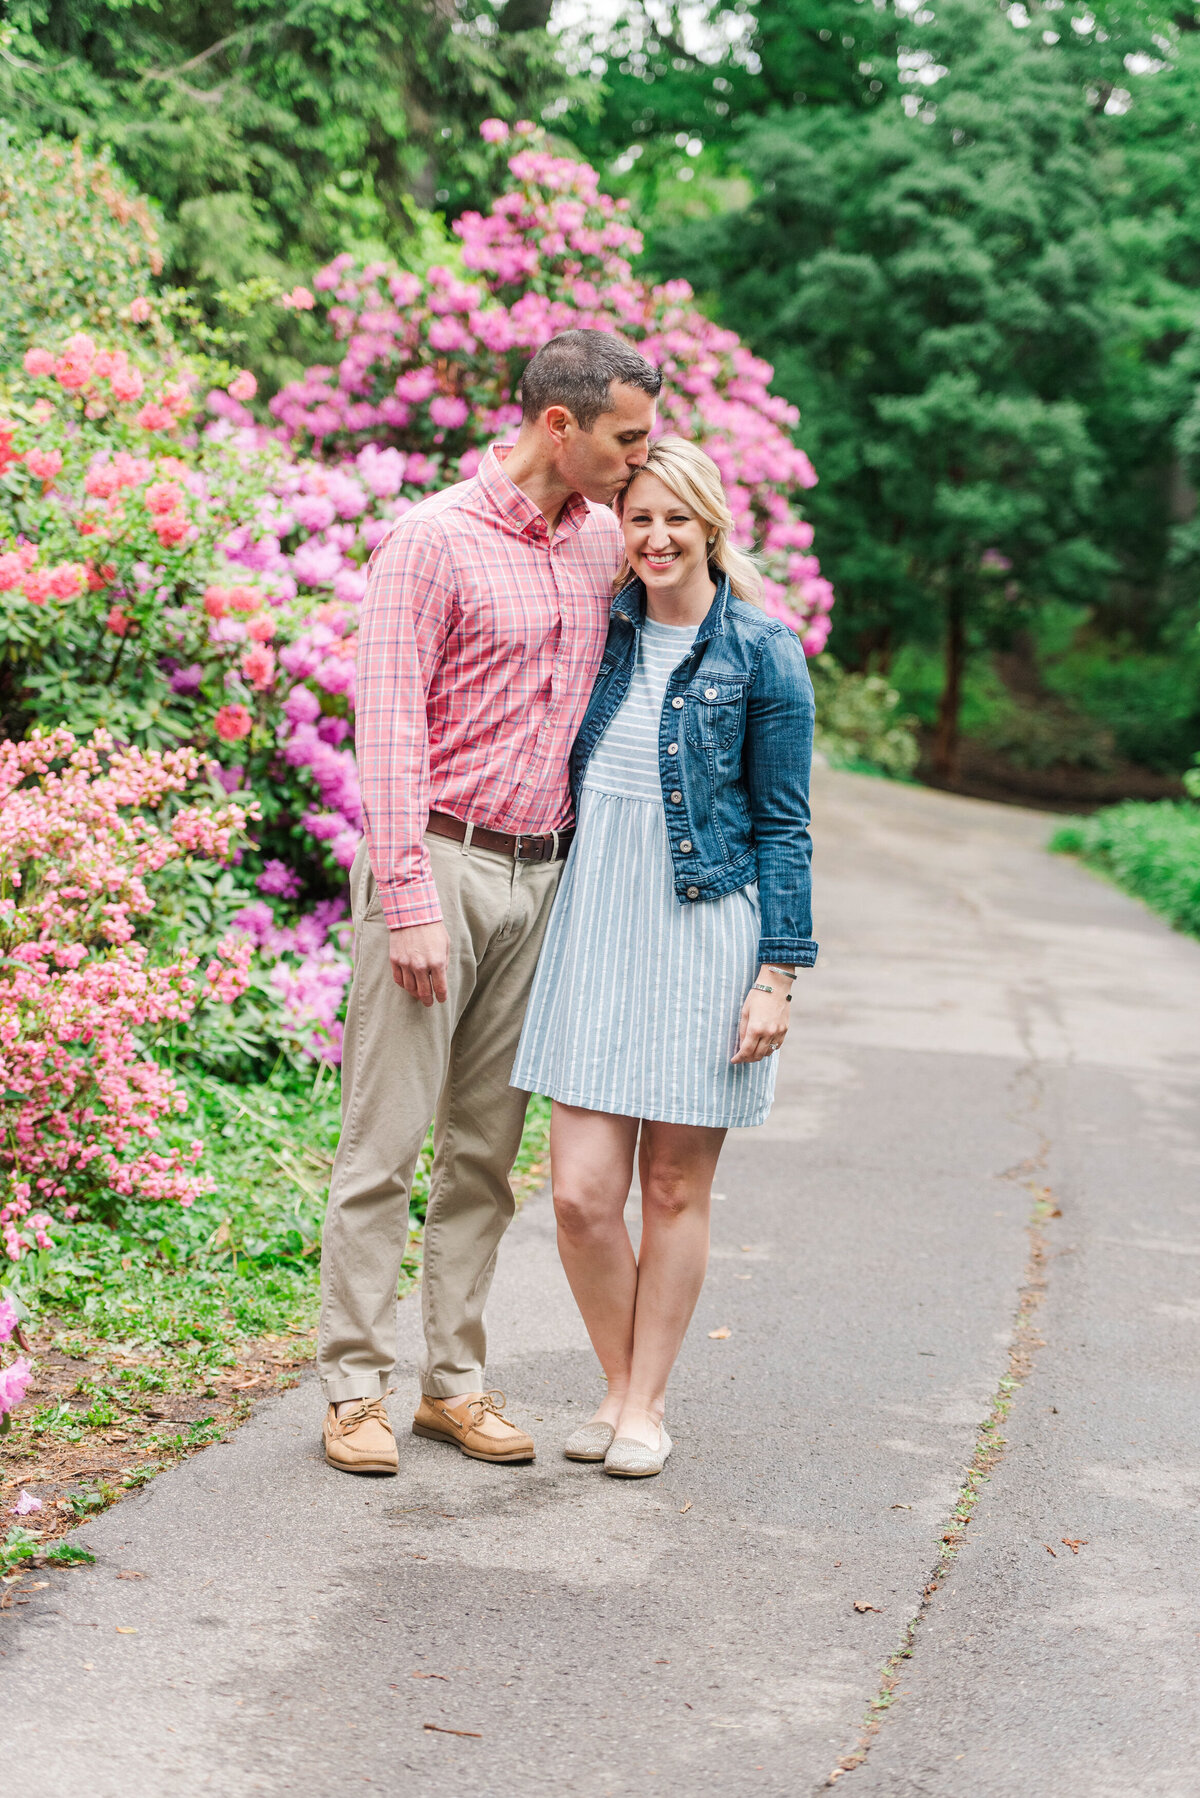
[(1149, 850)]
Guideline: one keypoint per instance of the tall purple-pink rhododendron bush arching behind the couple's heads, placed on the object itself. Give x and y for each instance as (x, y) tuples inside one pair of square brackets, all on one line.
[(433, 362)]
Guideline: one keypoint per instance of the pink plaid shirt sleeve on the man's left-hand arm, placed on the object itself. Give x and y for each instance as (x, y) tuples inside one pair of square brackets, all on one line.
[(406, 618)]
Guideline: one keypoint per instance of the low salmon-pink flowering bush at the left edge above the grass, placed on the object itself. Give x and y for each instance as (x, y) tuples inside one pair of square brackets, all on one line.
[(87, 837)]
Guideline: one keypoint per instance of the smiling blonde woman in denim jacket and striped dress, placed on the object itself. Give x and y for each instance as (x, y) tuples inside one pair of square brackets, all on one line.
[(685, 912)]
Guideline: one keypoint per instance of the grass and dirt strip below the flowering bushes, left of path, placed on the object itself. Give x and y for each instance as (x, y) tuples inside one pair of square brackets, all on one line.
[(156, 1331)]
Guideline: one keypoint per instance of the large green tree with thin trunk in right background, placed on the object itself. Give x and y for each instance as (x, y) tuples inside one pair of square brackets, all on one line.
[(933, 283)]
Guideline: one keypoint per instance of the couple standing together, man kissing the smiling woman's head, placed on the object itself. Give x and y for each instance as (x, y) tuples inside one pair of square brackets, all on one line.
[(636, 968)]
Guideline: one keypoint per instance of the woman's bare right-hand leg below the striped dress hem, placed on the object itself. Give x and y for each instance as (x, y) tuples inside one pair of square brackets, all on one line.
[(677, 1164)]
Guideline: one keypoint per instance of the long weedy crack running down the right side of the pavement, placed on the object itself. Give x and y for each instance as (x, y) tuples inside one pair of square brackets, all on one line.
[(989, 1446)]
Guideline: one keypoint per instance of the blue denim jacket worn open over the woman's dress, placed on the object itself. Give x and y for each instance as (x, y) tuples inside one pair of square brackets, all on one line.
[(735, 754)]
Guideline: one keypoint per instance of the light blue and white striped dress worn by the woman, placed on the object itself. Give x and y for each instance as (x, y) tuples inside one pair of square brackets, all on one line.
[(636, 1001)]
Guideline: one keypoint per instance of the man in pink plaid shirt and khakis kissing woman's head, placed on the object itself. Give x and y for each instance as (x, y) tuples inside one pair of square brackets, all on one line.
[(481, 634)]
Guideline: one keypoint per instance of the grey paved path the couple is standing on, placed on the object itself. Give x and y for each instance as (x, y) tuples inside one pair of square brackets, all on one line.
[(990, 1033)]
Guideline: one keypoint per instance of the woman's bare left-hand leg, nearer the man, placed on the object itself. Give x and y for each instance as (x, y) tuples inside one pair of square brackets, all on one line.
[(593, 1170)]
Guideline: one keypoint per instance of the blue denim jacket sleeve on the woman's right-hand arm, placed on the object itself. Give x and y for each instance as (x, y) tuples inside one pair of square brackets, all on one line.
[(778, 760)]
